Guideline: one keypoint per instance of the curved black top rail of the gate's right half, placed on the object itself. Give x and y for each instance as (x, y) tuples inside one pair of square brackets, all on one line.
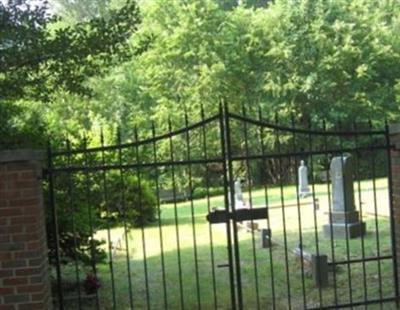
[(304, 131)]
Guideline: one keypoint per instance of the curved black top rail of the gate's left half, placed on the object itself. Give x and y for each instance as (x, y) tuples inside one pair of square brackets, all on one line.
[(140, 142)]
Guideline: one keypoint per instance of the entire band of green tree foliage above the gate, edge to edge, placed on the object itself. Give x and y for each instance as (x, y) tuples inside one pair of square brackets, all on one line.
[(324, 59)]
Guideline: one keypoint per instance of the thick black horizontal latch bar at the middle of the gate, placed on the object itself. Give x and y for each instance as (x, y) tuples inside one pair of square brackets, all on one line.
[(239, 215)]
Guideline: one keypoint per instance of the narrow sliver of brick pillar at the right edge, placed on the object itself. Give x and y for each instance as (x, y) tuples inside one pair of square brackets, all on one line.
[(394, 131)]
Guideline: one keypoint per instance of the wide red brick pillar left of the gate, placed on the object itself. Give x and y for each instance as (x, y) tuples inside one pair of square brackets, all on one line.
[(24, 278)]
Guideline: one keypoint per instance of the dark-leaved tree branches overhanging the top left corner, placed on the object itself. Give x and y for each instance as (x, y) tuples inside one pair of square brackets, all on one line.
[(35, 62)]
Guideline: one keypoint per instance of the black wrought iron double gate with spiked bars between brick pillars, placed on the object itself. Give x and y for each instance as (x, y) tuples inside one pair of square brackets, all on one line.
[(160, 222)]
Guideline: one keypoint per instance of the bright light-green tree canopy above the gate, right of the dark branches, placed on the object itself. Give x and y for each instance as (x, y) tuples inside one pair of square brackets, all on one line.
[(313, 58)]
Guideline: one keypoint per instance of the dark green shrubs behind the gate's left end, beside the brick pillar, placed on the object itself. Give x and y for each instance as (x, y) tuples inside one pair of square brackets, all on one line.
[(85, 206)]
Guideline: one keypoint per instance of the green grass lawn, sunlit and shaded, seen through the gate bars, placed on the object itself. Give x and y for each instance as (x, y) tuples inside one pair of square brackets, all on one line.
[(202, 278)]
